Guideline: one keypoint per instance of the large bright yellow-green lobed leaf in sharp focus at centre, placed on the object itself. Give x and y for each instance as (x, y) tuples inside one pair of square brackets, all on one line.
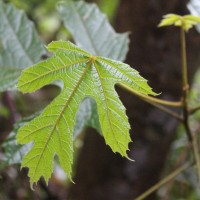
[(83, 75)]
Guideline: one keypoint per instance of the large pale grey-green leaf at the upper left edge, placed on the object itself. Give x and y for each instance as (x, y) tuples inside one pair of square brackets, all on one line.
[(19, 45)]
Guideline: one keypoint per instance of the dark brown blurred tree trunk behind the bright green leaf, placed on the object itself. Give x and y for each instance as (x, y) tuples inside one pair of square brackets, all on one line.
[(103, 175)]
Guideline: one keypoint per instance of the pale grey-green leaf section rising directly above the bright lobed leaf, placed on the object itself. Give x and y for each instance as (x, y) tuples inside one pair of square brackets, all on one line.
[(94, 31)]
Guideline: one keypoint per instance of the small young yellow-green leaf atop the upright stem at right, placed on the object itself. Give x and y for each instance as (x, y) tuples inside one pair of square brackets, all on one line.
[(187, 21)]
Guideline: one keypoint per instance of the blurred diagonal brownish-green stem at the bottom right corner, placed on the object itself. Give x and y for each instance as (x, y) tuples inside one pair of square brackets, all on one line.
[(163, 181)]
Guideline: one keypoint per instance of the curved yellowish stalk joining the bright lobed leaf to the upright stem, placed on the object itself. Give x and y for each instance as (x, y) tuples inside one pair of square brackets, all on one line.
[(152, 99)]
